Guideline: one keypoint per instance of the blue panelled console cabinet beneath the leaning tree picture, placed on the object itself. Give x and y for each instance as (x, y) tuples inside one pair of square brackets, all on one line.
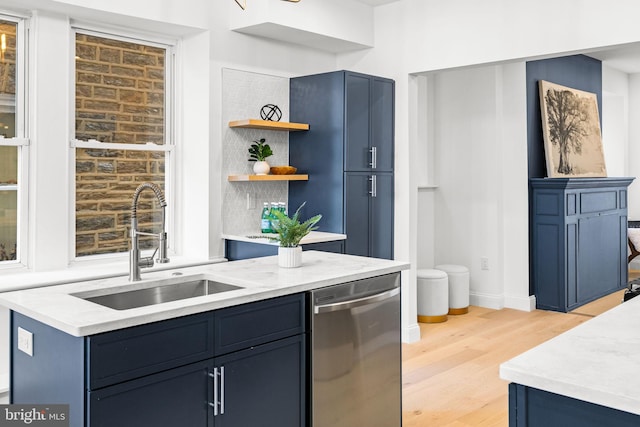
[(579, 240)]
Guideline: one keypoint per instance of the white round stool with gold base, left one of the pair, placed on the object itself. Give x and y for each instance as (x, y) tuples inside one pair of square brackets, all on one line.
[(433, 296)]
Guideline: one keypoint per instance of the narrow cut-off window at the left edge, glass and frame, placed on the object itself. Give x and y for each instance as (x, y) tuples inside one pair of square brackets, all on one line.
[(13, 143)]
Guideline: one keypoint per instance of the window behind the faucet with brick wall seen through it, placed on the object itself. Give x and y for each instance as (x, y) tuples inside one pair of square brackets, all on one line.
[(122, 137)]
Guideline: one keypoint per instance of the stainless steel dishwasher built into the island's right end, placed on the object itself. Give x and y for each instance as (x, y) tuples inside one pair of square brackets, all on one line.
[(356, 354)]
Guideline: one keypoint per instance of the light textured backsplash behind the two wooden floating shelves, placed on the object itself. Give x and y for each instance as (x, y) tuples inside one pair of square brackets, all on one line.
[(243, 95)]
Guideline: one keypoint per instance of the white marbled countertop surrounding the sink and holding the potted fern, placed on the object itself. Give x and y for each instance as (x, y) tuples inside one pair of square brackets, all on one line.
[(259, 278)]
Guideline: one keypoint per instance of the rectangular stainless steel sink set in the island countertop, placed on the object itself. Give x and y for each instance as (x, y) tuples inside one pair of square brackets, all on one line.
[(125, 300)]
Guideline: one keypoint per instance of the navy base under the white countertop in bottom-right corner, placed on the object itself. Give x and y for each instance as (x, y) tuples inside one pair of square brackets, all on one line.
[(531, 407)]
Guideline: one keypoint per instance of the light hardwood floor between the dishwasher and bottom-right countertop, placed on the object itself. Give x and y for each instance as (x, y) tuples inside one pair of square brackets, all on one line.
[(450, 378)]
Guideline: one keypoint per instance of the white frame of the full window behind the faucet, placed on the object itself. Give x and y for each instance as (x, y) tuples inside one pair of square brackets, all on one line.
[(169, 146)]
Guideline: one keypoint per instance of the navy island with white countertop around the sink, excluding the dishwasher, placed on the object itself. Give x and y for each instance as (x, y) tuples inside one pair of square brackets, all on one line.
[(236, 356)]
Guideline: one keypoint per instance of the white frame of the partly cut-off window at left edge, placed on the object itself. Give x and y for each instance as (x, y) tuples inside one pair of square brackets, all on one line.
[(21, 140)]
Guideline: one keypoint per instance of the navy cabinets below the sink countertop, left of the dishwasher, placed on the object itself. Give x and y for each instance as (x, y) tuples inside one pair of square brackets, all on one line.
[(235, 367)]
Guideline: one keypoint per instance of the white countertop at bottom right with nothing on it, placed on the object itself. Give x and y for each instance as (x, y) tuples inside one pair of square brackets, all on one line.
[(596, 361)]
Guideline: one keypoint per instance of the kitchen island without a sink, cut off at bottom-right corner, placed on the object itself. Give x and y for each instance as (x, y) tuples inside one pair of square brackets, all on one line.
[(585, 377)]
